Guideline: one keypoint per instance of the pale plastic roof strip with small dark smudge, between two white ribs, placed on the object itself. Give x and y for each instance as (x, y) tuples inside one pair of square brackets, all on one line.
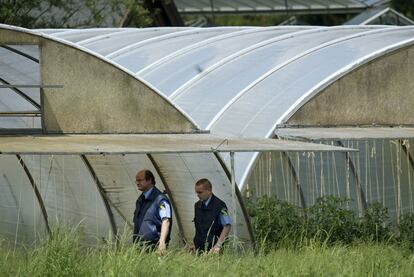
[(199, 58)]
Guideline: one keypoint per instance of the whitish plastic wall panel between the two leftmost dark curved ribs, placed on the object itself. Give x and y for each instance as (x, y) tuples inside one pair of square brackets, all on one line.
[(70, 195)]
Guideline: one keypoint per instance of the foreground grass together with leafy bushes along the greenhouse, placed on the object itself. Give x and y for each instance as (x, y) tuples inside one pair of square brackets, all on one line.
[(324, 240)]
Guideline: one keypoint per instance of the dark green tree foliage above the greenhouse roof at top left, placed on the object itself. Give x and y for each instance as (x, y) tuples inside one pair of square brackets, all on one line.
[(72, 13)]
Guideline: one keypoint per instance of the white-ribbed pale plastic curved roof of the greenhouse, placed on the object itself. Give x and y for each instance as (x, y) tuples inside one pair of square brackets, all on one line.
[(243, 81)]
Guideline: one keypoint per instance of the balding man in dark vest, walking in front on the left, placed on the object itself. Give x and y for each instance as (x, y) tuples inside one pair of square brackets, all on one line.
[(152, 216)]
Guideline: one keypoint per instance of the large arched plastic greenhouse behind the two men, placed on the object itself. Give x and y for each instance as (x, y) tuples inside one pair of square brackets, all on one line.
[(77, 107)]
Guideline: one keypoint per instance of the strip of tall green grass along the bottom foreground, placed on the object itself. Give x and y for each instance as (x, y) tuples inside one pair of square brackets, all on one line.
[(63, 256)]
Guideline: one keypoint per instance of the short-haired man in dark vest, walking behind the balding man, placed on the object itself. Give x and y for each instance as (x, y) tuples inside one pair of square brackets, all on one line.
[(211, 219)]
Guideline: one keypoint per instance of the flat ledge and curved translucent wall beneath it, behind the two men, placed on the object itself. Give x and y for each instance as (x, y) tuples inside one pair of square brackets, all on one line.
[(53, 180)]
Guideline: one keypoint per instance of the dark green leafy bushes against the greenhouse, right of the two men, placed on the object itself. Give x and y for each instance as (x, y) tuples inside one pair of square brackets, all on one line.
[(328, 222)]
